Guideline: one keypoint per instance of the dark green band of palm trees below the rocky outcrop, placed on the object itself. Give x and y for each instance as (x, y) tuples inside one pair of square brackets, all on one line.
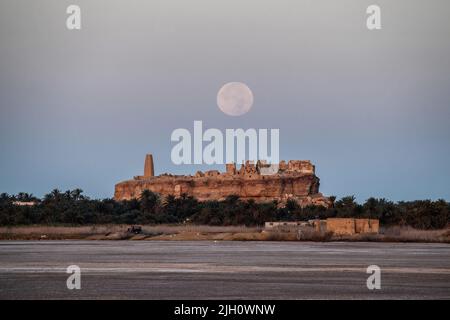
[(73, 208)]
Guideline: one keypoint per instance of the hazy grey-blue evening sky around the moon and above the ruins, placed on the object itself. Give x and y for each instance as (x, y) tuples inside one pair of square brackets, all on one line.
[(370, 108)]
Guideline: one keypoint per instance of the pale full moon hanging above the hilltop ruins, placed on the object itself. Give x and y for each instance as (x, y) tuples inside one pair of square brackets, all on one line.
[(235, 98)]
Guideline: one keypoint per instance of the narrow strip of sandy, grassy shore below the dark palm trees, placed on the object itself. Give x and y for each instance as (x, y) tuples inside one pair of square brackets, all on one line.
[(204, 232)]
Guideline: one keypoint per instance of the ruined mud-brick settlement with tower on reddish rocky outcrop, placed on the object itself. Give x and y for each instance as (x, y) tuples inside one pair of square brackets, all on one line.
[(259, 181)]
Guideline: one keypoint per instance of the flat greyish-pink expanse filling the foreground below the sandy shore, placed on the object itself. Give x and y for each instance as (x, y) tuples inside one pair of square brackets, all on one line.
[(223, 270)]
